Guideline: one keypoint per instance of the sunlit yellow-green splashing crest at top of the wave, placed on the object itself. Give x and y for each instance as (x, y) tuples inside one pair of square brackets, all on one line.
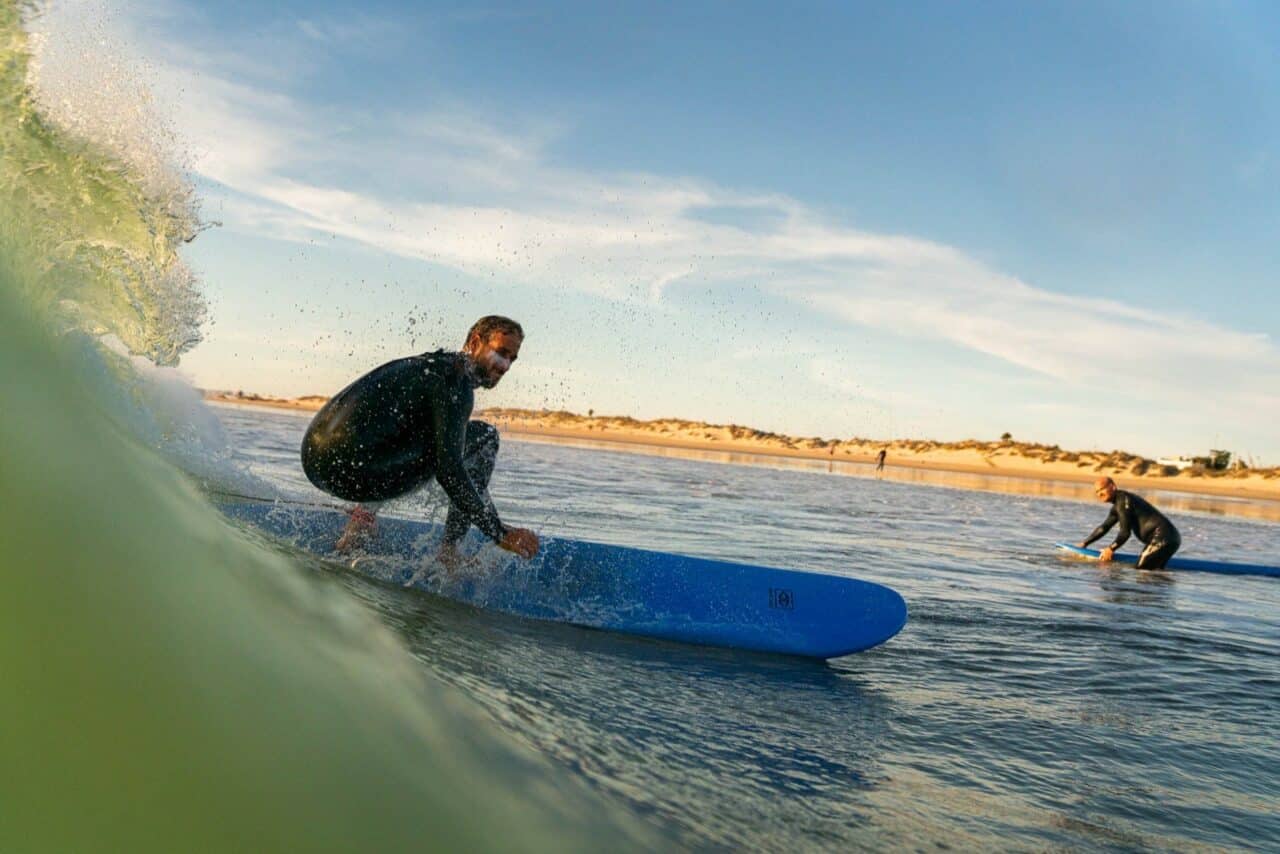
[(92, 216)]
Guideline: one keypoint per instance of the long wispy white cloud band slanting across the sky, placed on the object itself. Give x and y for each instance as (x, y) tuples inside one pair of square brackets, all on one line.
[(488, 198)]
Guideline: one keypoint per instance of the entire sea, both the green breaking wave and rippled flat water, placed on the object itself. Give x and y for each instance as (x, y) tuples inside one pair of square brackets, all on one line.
[(171, 682)]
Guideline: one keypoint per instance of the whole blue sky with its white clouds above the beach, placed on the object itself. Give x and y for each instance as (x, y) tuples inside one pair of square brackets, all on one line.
[(918, 220)]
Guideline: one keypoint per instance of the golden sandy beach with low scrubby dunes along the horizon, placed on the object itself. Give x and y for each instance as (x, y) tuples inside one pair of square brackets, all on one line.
[(1000, 459)]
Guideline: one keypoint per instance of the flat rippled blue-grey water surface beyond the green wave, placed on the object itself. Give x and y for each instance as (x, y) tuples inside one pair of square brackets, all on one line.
[(1031, 704)]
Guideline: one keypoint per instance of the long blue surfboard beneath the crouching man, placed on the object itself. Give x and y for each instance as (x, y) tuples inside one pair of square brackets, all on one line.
[(616, 588)]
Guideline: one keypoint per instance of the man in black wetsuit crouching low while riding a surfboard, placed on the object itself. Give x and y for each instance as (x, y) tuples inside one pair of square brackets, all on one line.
[(409, 422)]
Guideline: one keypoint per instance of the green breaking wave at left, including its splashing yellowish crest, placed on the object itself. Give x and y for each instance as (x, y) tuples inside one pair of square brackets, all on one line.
[(167, 684)]
